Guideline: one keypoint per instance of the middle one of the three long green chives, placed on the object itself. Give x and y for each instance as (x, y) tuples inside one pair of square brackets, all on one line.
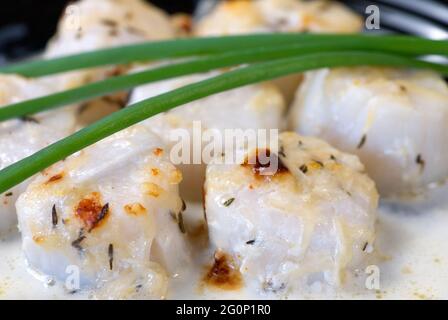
[(125, 82)]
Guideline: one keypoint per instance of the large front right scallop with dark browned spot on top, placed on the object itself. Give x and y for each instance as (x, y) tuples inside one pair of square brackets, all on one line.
[(311, 218)]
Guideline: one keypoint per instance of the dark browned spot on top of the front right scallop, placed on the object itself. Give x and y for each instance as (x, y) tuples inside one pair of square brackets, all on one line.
[(265, 163)]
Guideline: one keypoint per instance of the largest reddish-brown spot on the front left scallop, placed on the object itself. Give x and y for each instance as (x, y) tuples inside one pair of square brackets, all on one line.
[(91, 211)]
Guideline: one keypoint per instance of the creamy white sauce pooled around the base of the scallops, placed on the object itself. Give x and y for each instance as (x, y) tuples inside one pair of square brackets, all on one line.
[(413, 256)]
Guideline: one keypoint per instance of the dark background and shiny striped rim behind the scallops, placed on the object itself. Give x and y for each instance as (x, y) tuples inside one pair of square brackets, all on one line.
[(24, 33)]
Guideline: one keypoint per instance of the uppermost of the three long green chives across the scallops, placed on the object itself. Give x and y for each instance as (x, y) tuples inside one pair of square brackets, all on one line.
[(199, 46)]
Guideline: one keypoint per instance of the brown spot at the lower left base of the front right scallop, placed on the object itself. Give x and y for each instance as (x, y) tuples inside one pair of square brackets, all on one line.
[(223, 274)]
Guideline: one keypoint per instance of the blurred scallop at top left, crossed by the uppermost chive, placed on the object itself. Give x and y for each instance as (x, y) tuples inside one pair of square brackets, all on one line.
[(94, 24)]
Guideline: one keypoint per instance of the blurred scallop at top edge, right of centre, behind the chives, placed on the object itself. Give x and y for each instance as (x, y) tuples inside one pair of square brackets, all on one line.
[(242, 17)]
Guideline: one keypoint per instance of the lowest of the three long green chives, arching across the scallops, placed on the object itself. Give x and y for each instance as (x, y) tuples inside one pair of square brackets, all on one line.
[(138, 112)]
